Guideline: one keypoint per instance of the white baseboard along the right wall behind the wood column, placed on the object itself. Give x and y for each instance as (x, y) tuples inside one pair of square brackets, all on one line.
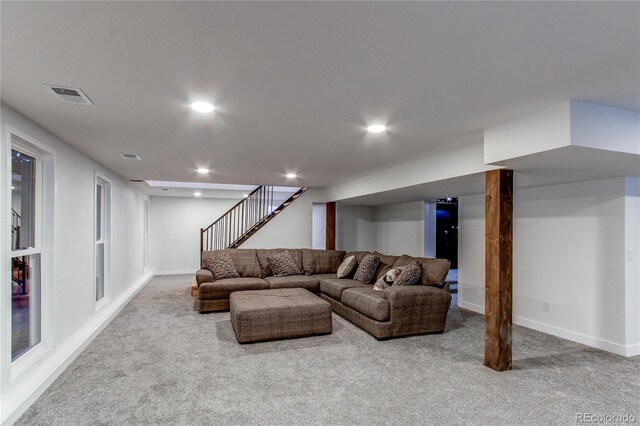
[(594, 342)]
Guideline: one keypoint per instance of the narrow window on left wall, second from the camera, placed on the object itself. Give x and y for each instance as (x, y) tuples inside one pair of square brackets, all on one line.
[(103, 198)]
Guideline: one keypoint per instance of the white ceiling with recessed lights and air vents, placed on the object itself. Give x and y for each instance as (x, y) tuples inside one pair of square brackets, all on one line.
[(295, 83)]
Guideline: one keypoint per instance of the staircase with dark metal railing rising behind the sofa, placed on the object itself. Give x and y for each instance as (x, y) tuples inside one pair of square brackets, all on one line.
[(244, 219)]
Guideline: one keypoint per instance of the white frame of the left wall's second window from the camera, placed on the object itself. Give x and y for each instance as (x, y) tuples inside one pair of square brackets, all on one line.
[(105, 239)]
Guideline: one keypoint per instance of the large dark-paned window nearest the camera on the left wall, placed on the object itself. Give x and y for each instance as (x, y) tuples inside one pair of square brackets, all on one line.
[(26, 249)]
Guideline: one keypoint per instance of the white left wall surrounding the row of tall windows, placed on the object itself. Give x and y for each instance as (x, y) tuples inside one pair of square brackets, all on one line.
[(73, 318)]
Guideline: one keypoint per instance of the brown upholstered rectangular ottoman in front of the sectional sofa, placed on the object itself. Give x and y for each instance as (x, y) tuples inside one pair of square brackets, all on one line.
[(283, 313)]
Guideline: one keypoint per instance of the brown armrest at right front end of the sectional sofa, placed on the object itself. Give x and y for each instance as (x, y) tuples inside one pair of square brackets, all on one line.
[(417, 309)]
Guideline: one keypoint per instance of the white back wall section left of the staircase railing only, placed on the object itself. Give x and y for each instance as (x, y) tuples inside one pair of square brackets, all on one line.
[(174, 230)]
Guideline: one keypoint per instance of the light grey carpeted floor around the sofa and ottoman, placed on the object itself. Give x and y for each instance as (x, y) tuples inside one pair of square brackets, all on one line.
[(161, 363)]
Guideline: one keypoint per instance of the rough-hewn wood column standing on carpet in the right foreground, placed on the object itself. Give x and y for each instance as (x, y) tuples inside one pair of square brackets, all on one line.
[(498, 269)]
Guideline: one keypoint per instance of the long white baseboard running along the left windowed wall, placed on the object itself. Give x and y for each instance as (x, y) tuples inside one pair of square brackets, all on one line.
[(42, 374)]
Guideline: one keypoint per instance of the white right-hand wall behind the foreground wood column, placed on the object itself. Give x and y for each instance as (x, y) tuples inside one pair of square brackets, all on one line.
[(569, 252)]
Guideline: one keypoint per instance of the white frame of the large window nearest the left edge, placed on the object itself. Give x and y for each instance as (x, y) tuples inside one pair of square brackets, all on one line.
[(43, 245)]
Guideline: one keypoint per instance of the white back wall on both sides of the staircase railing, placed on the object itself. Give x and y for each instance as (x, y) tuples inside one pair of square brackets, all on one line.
[(175, 224)]
